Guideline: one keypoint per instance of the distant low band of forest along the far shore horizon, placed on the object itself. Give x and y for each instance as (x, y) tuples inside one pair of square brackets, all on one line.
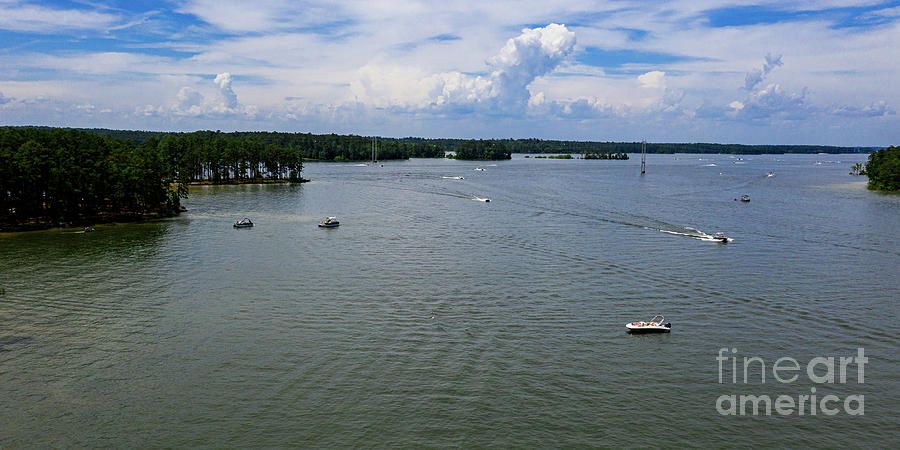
[(328, 147)]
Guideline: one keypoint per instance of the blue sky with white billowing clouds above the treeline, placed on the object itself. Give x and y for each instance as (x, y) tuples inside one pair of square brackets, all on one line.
[(755, 72)]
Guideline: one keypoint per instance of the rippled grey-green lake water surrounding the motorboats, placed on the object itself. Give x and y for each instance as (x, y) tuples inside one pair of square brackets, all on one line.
[(431, 319)]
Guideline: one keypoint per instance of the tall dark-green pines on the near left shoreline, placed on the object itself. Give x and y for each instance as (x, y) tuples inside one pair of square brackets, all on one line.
[(59, 176)]
